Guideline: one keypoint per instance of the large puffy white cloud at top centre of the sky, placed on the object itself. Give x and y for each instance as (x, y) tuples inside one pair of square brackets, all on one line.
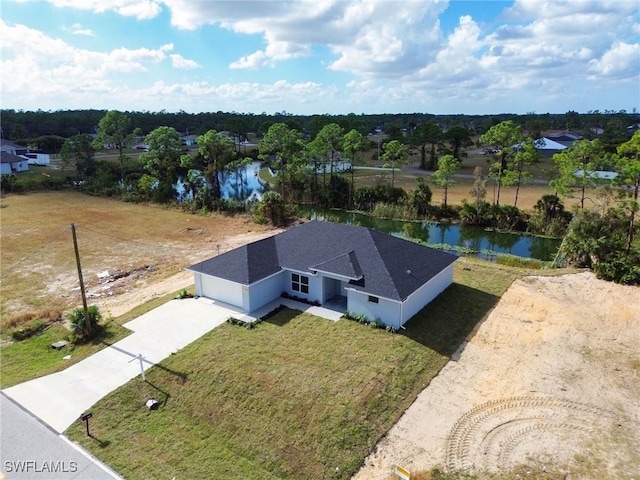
[(367, 37)]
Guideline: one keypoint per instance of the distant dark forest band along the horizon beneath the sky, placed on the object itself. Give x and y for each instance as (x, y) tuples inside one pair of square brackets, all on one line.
[(30, 126)]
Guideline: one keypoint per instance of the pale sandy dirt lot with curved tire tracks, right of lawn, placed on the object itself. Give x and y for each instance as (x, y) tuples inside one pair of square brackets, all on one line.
[(551, 379)]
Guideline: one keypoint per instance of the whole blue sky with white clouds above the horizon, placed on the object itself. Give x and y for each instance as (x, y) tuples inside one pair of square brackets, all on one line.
[(321, 56)]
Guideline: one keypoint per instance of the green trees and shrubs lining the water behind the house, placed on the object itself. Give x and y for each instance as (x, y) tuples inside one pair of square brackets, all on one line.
[(306, 170)]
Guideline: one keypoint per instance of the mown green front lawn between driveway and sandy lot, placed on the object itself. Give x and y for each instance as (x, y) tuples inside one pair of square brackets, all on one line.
[(298, 397)]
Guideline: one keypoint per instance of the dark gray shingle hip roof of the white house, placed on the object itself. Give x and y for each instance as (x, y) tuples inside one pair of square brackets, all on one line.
[(378, 263)]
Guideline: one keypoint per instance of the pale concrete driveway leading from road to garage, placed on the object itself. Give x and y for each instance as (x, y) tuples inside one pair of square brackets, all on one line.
[(60, 398)]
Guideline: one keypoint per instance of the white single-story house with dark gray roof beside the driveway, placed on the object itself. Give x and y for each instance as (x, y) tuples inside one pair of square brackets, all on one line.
[(380, 276)]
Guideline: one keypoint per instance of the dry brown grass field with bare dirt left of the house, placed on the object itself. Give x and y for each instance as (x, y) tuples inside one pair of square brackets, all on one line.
[(130, 253)]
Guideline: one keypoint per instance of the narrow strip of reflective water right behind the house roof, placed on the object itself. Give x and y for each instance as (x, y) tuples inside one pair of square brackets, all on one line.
[(475, 238)]
